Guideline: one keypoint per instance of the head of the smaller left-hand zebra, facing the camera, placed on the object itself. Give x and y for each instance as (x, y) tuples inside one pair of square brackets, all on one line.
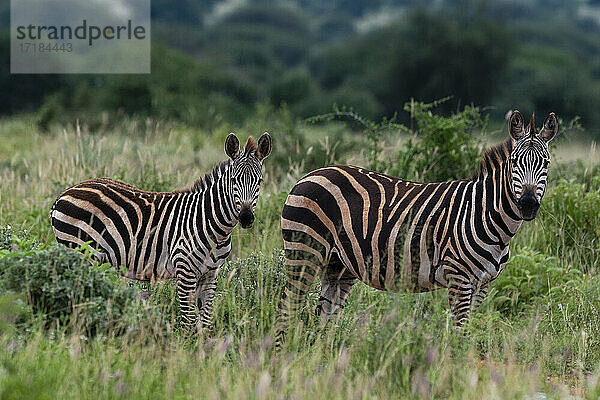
[(246, 174)]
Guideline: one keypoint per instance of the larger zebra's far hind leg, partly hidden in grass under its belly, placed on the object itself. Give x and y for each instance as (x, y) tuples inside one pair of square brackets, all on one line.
[(336, 283)]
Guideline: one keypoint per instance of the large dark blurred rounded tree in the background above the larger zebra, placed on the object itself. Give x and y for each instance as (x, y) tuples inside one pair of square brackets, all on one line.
[(442, 57)]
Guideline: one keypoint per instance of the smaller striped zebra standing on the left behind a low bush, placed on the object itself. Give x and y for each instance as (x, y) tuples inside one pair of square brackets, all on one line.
[(184, 234)]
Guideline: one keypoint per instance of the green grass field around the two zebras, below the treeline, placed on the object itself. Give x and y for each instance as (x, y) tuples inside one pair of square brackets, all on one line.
[(537, 335)]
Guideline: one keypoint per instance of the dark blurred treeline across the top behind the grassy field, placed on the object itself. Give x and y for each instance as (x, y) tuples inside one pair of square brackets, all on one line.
[(213, 61)]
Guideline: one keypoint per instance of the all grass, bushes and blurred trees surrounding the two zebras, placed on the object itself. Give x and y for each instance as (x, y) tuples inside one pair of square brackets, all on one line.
[(71, 328)]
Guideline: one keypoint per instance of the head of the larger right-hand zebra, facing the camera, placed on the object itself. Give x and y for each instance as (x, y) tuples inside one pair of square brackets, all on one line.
[(529, 161)]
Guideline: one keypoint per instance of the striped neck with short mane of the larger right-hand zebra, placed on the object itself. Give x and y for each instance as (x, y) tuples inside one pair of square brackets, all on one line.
[(498, 202)]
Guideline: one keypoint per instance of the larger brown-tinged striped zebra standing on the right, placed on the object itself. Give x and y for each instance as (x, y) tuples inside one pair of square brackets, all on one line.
[(346, 223)]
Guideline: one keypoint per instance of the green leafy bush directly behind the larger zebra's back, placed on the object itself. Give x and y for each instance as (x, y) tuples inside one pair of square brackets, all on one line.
[(439, 148)]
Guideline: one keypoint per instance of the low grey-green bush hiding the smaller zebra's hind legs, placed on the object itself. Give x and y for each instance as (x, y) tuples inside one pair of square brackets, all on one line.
[(67, 289)]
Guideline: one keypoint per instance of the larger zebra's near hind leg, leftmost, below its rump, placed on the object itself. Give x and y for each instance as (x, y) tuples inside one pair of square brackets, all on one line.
[(301, 270)]
